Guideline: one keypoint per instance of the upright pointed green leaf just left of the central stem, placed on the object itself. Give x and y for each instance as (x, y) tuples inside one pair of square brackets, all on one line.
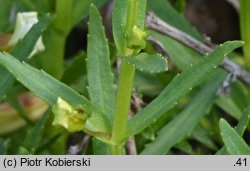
[(100, 76)]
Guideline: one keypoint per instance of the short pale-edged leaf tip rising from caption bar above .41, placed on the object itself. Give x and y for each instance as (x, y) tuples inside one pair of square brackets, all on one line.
[(235, 145)]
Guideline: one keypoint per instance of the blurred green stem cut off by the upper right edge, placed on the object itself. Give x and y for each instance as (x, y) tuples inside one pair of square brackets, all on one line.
[(245, 28)]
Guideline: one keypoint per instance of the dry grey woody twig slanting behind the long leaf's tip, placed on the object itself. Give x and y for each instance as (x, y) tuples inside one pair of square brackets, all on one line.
[(155, 23)]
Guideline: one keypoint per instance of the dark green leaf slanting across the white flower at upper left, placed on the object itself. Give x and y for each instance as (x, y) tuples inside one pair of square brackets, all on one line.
[(22, 51)]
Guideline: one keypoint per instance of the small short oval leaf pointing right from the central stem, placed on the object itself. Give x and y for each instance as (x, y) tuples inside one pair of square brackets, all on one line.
[(148, 63)]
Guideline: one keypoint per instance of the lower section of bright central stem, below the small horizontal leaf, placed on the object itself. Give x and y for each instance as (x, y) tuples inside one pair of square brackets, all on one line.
[(122, 107)]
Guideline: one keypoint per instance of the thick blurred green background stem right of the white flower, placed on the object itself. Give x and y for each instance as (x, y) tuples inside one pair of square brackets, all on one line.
[(55, 39)]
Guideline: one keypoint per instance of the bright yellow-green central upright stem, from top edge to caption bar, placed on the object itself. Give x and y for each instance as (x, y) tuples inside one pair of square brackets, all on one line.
[(125, 86)]
